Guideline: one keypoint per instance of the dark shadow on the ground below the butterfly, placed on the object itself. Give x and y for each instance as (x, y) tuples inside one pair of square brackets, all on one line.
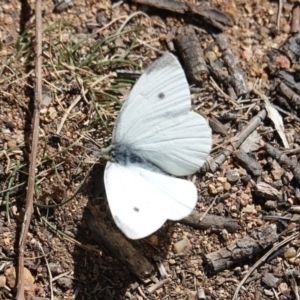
[(107, 264)]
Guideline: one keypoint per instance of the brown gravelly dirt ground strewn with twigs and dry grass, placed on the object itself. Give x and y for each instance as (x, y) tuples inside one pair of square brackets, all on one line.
[(86, 45)]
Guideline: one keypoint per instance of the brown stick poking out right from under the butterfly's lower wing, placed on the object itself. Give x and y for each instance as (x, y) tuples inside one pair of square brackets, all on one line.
[(211, 222)]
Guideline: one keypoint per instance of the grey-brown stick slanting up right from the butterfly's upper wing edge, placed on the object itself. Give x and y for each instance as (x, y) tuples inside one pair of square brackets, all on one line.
[(212, 164)]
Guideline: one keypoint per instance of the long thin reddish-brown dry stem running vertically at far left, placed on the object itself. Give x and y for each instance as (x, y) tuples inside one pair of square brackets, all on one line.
[(34, 147)]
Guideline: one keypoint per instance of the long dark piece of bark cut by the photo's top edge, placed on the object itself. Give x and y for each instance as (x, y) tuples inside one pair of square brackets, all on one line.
[(210, 15)]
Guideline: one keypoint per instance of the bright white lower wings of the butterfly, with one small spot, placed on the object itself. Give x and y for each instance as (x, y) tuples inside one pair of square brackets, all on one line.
[(141, 200)]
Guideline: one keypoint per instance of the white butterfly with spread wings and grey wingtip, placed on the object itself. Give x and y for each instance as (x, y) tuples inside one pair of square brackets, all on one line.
[(155, 136)]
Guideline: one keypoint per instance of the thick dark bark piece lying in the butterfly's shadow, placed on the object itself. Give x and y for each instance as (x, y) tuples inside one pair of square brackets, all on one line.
[(118, 245)]
